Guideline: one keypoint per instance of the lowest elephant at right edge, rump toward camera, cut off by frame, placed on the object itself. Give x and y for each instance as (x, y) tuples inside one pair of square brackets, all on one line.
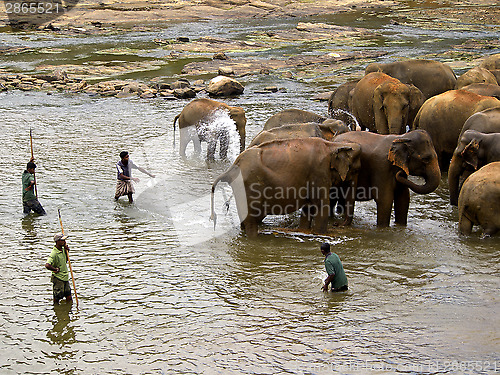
[(479, 201)]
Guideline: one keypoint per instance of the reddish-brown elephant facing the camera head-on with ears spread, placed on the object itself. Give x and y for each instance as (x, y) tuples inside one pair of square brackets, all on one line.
[(383, 104)]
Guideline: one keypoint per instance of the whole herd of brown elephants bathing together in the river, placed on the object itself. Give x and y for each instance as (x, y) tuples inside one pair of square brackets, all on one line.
[(421, 119)]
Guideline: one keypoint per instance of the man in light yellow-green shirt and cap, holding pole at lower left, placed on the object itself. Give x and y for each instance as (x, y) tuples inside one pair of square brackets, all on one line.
[(57, 264)]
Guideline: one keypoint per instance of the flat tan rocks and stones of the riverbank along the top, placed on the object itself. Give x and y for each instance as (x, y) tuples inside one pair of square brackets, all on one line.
[(211, 55)]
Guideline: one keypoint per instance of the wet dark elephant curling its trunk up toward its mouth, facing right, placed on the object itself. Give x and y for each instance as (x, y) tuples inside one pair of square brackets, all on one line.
[(386, 162)]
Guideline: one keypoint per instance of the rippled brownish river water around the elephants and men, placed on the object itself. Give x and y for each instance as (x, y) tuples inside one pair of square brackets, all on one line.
[(160, 291)]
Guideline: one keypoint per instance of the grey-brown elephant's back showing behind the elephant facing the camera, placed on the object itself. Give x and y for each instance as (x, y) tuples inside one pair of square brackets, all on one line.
[(431, 77)]
